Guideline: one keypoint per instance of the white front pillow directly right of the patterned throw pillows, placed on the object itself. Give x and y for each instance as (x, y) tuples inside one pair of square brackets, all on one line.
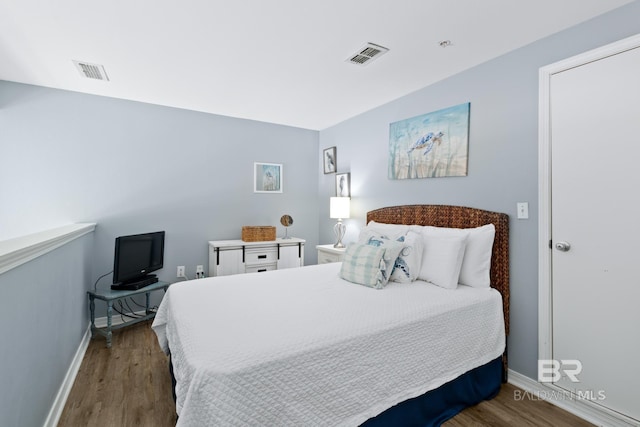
[(442, 259)]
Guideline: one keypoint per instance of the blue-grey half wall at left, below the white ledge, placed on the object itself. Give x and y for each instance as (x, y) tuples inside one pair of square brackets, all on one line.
[(43, 317)]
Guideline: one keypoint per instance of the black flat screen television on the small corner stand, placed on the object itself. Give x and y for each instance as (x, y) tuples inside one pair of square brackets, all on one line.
[(135, 257)]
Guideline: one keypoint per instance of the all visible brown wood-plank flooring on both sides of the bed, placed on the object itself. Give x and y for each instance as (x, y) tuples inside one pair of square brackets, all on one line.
[(129, 386)]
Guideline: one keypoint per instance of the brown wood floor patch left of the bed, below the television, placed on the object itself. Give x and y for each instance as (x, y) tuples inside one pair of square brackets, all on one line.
[(127, 385)]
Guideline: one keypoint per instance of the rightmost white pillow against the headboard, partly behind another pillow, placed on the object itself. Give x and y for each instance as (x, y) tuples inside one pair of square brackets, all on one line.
[(476, 264)]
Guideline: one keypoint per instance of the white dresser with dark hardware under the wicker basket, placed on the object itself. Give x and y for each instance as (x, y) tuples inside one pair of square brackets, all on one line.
[(228, 257)]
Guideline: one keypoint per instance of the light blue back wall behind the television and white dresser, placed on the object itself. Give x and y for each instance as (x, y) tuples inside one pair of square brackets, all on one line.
[(132, 167)]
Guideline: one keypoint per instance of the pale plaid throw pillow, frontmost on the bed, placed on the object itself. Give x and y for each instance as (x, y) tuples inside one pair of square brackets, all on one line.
[(364, 265)]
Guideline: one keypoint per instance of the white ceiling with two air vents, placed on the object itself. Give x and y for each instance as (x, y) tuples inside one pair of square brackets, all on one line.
[(279, 61)]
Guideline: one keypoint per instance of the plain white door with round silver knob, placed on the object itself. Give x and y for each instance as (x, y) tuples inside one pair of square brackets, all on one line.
[(595, 208)]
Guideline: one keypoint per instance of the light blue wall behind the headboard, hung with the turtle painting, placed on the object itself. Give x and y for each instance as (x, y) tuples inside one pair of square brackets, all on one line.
[(503, 156)]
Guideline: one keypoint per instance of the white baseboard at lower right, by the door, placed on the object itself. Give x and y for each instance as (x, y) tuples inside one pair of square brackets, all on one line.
[(584, 409)]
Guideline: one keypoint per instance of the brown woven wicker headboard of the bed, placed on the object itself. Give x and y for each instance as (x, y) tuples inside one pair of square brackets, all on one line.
[(459, 217)]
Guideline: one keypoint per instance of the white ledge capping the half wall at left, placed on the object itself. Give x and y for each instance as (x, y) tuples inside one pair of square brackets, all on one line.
[(15, 252)]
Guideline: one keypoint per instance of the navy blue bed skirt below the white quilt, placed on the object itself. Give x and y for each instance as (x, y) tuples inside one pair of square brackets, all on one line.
[(437, 406)]
